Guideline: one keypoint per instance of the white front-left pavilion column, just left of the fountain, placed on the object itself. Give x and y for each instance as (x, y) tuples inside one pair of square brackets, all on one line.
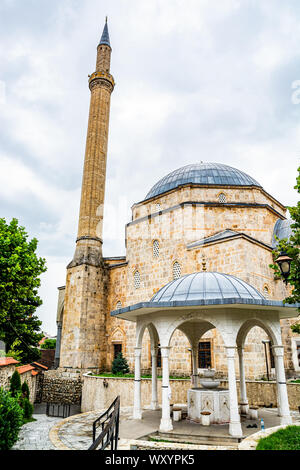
[(166, 422)]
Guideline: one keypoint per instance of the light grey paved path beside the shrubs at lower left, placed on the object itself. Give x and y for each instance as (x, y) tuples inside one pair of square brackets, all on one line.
[(35, 435)]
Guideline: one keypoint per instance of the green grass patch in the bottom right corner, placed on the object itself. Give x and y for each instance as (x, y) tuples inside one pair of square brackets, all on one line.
[(284, 439)]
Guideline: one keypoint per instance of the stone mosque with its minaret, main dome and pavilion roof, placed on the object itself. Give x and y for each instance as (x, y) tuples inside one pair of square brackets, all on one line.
[(202, 236)]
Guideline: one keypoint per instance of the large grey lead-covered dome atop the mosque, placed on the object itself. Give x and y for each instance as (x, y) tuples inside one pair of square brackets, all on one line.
[(215, 174)]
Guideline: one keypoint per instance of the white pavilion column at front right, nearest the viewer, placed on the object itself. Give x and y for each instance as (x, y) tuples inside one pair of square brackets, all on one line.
[(235, 428)]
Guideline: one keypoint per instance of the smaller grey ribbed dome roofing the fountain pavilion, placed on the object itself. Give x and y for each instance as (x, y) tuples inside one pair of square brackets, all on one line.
[(207, 286)]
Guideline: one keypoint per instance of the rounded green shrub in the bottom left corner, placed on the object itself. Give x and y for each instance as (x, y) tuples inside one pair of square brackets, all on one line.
[(11, 420)]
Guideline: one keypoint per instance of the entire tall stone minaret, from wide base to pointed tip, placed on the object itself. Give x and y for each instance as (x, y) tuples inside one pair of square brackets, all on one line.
[(83, 344)]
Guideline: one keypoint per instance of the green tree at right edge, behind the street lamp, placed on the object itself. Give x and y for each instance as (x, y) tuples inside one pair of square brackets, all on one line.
[(292, 248)]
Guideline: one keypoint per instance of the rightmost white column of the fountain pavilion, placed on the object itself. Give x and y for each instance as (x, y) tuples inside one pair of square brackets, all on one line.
[(282, 395)]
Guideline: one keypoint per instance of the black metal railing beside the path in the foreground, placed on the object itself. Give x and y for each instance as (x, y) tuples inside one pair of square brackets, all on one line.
[(109, 423)]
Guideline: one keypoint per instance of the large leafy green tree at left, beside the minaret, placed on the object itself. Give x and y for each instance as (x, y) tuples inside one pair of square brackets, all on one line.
[(20, 269)]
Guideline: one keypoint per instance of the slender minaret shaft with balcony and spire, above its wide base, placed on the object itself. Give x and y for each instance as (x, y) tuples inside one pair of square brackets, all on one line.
[(101, 83)]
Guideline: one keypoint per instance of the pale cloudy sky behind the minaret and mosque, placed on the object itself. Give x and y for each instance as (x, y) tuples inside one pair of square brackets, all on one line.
[(196, 80)]
